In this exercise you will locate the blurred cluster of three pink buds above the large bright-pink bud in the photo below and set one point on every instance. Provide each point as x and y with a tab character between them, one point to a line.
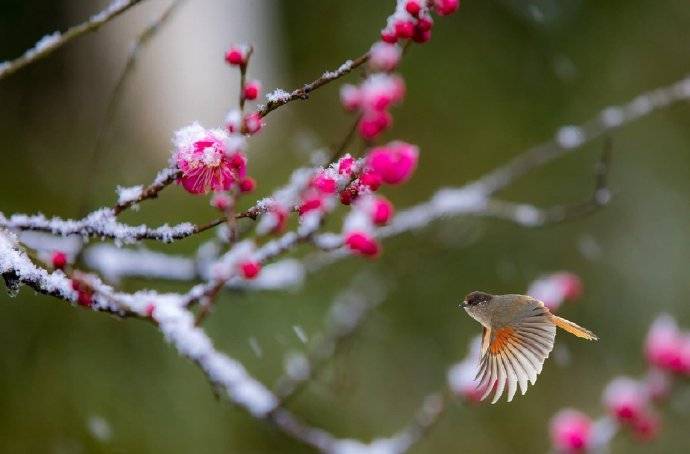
372	99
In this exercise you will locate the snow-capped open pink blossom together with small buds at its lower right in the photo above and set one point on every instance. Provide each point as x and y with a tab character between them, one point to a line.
210	160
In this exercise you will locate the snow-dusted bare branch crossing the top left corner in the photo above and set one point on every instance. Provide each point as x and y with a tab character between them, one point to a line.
49	43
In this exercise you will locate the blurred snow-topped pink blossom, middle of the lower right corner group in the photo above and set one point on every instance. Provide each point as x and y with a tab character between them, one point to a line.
625	399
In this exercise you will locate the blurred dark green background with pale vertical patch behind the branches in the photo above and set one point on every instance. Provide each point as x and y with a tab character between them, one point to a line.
497	77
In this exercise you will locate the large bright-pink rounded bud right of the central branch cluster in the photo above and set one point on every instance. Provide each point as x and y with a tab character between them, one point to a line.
394	162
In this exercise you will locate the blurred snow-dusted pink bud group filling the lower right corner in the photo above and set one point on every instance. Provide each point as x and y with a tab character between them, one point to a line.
629	401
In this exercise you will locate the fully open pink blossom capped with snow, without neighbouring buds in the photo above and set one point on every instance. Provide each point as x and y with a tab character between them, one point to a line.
201	157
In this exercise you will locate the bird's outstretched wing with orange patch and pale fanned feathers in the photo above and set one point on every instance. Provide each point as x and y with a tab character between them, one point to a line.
514	354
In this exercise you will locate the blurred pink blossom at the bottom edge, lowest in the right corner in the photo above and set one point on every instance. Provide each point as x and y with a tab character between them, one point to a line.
571	431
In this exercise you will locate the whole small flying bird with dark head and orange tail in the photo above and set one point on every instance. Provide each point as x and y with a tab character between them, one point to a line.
518	335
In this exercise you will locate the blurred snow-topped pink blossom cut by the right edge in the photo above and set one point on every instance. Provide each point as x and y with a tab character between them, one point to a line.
666	347
